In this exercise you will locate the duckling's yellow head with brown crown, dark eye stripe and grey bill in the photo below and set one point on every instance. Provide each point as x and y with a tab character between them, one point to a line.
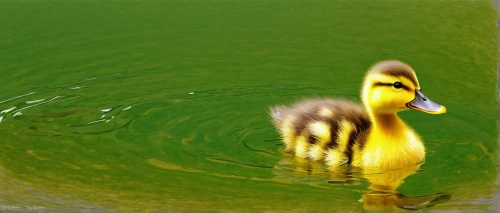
392	86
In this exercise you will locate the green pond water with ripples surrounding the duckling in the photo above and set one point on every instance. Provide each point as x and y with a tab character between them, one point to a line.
162	105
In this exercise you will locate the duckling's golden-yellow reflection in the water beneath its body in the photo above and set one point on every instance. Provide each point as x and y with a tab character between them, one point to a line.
383	194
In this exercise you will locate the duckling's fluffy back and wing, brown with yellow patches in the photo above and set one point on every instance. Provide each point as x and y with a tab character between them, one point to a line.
332	130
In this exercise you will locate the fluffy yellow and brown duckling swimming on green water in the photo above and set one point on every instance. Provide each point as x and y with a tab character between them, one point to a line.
341	132
